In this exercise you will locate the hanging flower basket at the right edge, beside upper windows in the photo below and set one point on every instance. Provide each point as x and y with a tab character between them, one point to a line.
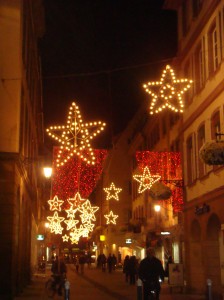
212	153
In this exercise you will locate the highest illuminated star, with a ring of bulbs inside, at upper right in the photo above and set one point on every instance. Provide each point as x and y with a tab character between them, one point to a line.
169	94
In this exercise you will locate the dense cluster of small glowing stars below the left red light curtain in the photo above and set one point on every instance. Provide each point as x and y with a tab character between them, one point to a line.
79	211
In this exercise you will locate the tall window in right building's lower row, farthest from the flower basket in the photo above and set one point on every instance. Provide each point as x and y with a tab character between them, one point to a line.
191	172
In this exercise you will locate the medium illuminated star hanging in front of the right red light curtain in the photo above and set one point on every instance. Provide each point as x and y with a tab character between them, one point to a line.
146	180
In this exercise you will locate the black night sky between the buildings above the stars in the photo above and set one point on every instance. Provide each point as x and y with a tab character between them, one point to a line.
98	53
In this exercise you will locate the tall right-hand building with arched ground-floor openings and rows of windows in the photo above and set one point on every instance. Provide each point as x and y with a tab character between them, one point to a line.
201	58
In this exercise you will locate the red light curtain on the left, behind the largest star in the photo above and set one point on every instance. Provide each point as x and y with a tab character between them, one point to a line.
76	176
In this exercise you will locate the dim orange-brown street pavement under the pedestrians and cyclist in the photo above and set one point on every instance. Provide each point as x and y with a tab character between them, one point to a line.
95	284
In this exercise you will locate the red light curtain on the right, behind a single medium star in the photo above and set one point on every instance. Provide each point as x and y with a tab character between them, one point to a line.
168	166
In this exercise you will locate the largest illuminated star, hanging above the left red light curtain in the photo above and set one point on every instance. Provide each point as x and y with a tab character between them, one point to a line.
75	137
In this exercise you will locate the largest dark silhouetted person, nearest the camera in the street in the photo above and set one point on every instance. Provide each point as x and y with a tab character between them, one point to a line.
151	272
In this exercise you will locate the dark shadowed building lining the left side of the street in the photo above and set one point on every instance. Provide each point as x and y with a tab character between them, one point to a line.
21	142
